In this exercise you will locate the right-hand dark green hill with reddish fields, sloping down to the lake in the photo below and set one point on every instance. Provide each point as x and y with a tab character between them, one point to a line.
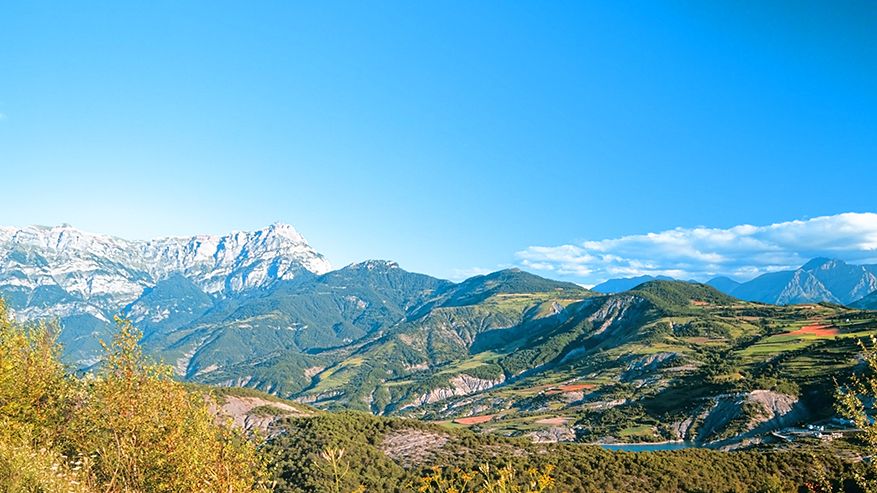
650	364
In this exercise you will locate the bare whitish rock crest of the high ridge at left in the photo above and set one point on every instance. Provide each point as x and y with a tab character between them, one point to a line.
69	265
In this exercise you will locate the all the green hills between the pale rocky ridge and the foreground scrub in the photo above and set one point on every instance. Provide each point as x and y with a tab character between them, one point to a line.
666	360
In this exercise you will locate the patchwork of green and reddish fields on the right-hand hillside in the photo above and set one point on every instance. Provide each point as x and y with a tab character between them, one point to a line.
798	349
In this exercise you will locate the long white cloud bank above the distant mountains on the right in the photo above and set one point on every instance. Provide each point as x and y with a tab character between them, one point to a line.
741	252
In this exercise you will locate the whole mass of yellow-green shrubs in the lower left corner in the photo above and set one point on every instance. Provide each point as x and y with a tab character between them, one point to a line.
129	428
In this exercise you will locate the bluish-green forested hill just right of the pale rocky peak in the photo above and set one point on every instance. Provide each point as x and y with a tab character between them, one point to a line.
297	319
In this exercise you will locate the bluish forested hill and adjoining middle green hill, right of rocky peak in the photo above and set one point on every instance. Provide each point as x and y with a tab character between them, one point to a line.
337	339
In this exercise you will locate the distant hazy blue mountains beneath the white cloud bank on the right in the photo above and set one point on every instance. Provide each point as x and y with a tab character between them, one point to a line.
820	279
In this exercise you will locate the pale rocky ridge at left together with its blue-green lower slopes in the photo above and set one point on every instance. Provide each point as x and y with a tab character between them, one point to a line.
84	279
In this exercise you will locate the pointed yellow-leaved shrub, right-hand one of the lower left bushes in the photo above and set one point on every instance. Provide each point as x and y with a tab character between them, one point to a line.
147	433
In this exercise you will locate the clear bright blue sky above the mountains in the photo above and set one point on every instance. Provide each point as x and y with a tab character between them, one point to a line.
452	137
